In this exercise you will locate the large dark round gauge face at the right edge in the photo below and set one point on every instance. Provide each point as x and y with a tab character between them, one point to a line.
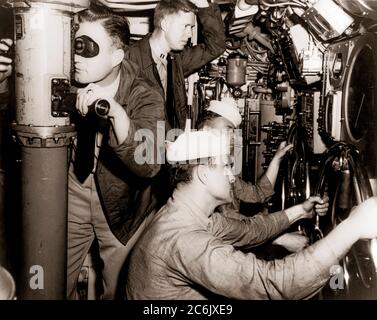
360	107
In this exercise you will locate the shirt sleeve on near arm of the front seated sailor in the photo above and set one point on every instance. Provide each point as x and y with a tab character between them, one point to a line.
220	268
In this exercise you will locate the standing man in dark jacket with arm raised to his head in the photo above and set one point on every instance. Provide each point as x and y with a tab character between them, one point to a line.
173	23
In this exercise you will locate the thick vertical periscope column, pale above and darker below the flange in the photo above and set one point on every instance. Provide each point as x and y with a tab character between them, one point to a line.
43	69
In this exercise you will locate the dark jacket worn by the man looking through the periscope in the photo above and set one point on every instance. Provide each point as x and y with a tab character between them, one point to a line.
124	186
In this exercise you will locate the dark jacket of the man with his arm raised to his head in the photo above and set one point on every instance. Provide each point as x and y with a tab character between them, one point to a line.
186	62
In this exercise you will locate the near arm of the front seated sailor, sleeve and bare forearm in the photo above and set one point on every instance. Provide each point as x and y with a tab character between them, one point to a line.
208	262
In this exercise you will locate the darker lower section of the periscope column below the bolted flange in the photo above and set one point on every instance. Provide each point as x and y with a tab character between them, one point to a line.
44	223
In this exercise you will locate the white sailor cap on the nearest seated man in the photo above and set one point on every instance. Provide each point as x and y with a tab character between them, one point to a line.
196	145
